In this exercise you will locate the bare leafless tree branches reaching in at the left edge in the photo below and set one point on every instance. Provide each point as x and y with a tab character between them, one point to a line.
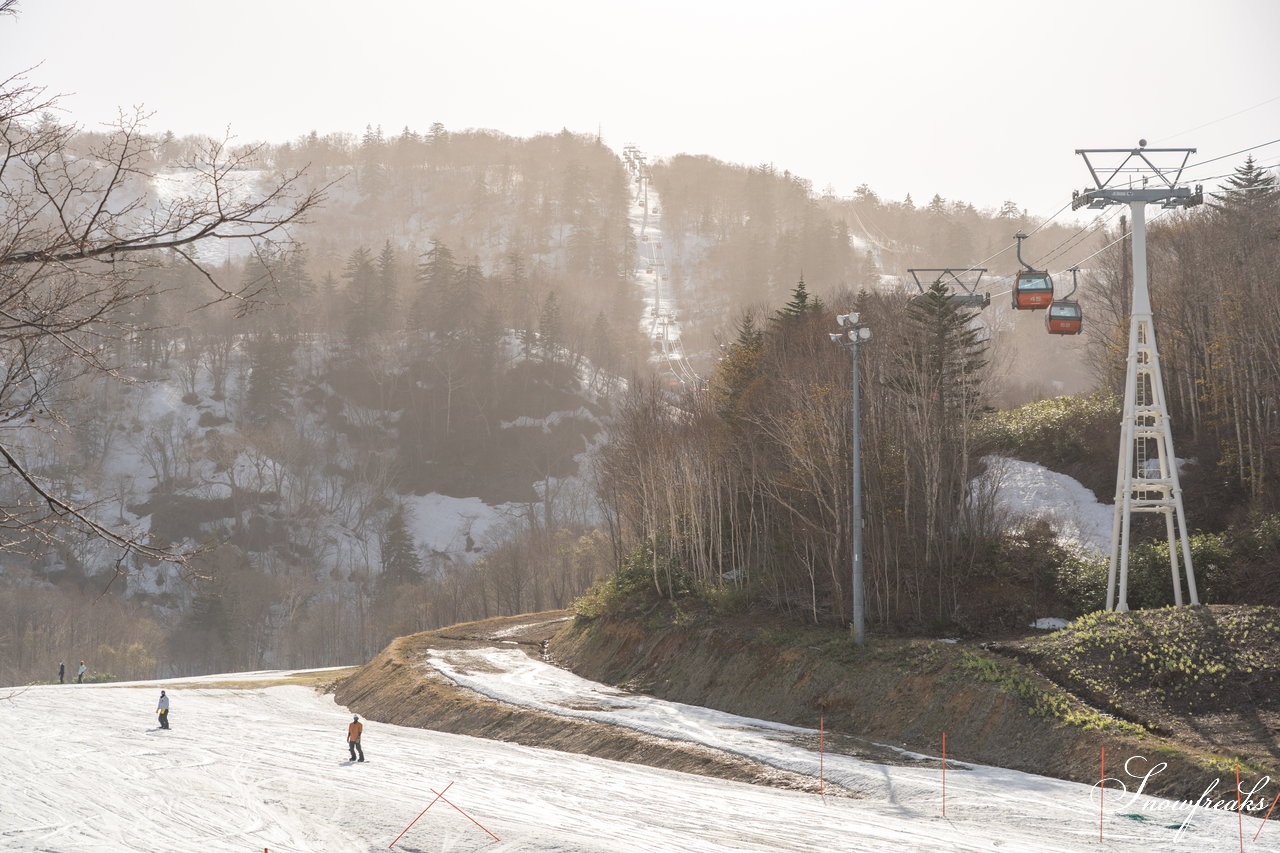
81	222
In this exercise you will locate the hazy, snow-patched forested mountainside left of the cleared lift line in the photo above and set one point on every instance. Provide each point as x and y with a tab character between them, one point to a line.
385	414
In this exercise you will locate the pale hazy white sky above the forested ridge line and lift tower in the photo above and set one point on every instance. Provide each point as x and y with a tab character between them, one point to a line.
984	101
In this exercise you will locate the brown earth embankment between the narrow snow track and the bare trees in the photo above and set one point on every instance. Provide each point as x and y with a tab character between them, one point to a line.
995	709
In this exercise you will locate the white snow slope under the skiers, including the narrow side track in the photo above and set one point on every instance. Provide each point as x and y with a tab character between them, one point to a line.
254	768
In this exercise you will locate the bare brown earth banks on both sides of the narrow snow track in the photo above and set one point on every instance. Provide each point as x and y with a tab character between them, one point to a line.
995	709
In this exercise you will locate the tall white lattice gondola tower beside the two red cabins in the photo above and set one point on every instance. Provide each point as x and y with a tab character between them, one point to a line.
1146	473
